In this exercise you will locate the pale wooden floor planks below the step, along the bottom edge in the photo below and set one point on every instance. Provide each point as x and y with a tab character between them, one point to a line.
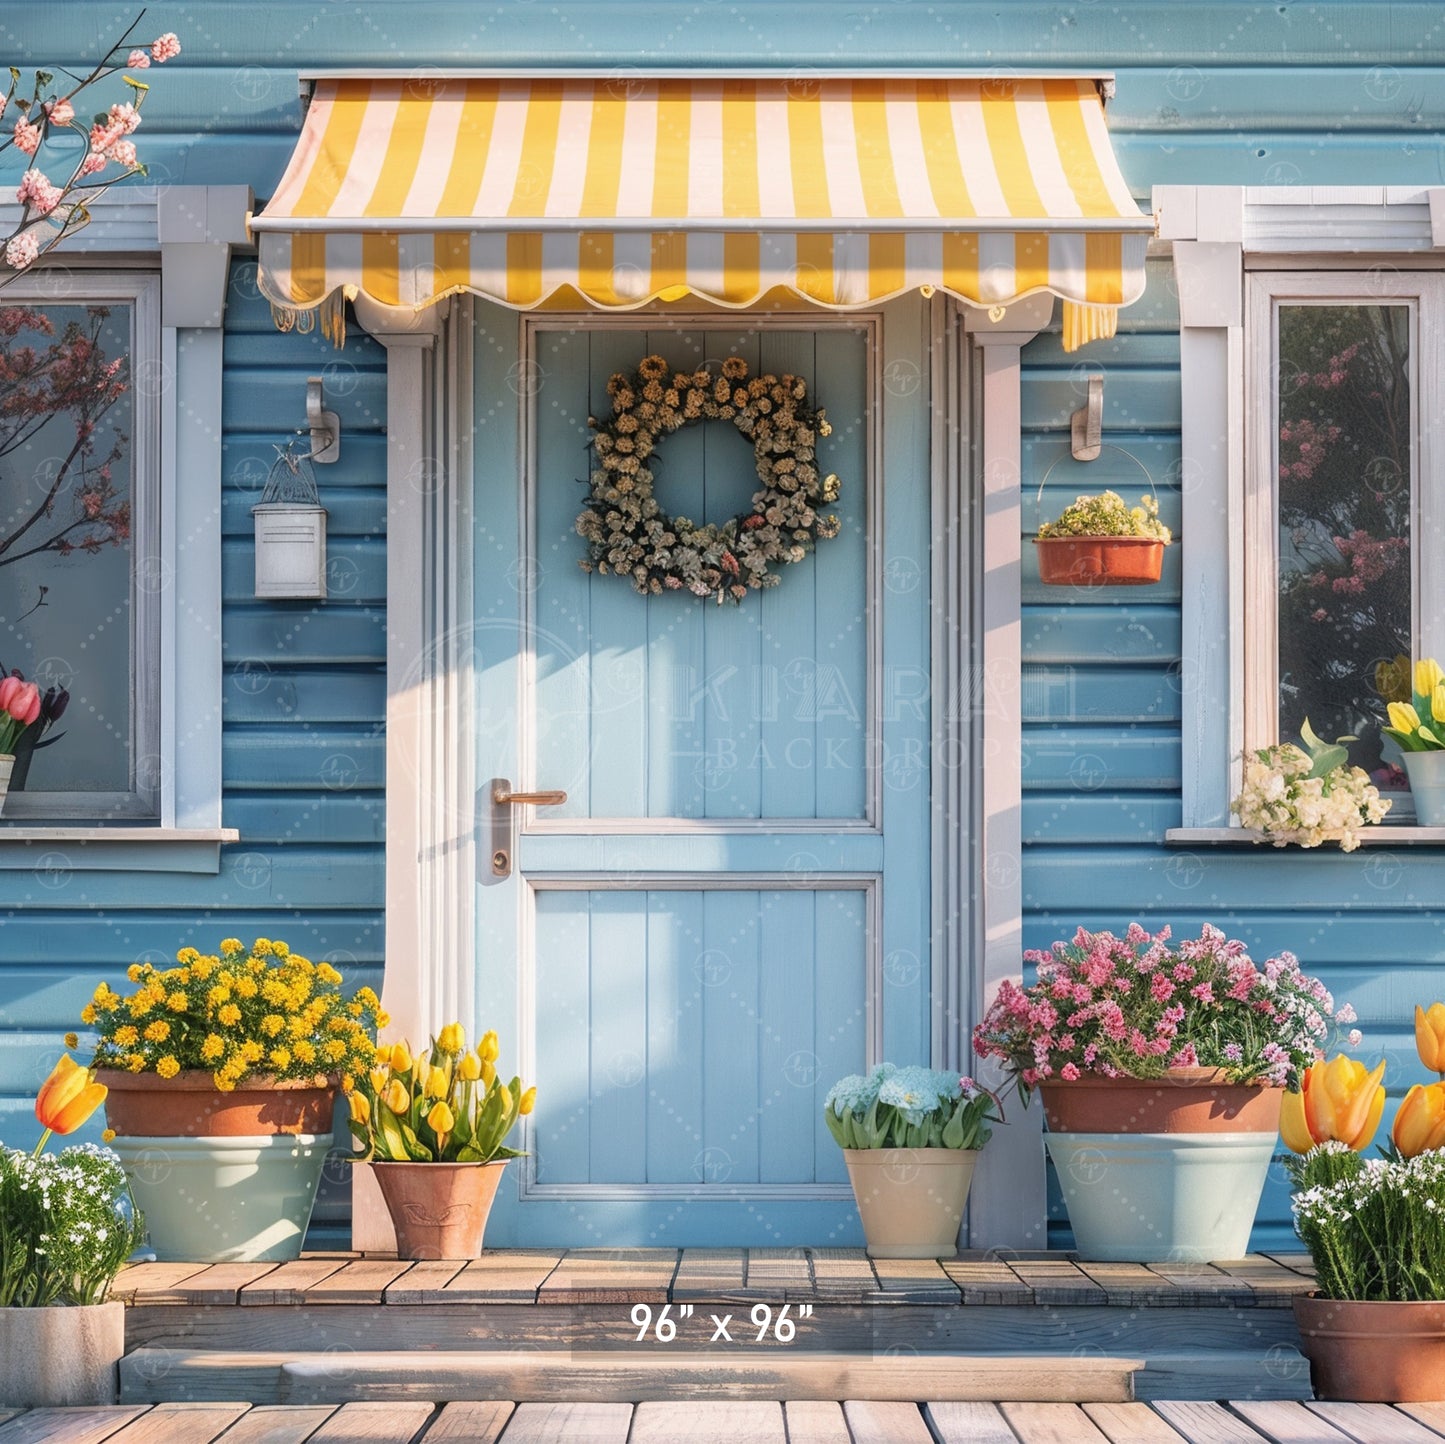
719	1423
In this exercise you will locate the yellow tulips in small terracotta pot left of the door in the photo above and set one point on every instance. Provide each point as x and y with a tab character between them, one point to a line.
434	1127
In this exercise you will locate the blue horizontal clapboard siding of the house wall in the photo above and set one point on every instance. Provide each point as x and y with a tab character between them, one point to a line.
1212	93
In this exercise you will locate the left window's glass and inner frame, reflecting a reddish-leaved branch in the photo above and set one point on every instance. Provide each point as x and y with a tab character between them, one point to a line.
80	540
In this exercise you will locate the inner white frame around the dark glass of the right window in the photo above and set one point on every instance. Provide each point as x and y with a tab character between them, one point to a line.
1424	293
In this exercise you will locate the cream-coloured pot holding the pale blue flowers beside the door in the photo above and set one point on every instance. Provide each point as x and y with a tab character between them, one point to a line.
911	1199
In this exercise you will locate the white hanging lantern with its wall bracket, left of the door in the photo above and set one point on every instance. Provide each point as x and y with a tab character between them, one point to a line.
291	523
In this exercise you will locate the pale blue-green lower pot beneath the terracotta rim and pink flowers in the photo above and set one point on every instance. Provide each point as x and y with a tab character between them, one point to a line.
1155	1198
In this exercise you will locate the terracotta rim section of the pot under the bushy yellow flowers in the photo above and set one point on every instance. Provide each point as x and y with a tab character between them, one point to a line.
190	1105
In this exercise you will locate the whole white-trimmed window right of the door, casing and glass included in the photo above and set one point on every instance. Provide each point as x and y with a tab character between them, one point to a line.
1313	485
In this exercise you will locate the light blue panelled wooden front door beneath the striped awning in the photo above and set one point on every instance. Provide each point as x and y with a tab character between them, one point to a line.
732	908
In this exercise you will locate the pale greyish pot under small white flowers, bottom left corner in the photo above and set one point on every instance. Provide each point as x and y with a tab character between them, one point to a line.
57	1358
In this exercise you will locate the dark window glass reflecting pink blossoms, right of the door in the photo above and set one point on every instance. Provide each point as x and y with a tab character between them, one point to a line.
1345	518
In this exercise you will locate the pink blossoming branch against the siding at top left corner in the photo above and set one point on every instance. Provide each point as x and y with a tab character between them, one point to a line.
57	189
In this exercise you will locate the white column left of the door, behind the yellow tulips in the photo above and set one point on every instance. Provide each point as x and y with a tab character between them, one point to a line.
430	852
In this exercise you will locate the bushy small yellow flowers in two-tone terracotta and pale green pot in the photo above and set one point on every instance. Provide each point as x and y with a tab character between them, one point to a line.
229	1063
